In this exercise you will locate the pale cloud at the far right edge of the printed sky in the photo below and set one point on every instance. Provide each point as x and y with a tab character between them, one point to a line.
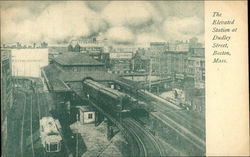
183	28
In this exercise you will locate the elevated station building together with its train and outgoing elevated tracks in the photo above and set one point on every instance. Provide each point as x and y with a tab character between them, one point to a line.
73	86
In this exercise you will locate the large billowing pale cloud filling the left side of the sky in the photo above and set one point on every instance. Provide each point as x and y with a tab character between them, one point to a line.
57	22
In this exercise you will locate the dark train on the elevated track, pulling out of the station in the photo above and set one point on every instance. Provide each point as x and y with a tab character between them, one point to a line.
109	98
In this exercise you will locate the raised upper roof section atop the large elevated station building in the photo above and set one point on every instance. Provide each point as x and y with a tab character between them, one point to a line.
76	59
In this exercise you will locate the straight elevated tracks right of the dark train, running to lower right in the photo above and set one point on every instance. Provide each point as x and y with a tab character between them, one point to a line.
187	127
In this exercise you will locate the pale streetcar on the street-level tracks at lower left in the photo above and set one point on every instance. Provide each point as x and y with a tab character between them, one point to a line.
50	135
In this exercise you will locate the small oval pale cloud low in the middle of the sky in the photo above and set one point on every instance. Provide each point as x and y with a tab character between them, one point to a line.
120	35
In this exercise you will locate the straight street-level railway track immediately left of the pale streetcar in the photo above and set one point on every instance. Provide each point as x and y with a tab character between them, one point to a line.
30	125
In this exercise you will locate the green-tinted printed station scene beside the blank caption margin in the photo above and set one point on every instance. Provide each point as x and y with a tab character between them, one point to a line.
103	78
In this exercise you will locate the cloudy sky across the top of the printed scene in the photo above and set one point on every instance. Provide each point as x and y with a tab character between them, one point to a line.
120	22
